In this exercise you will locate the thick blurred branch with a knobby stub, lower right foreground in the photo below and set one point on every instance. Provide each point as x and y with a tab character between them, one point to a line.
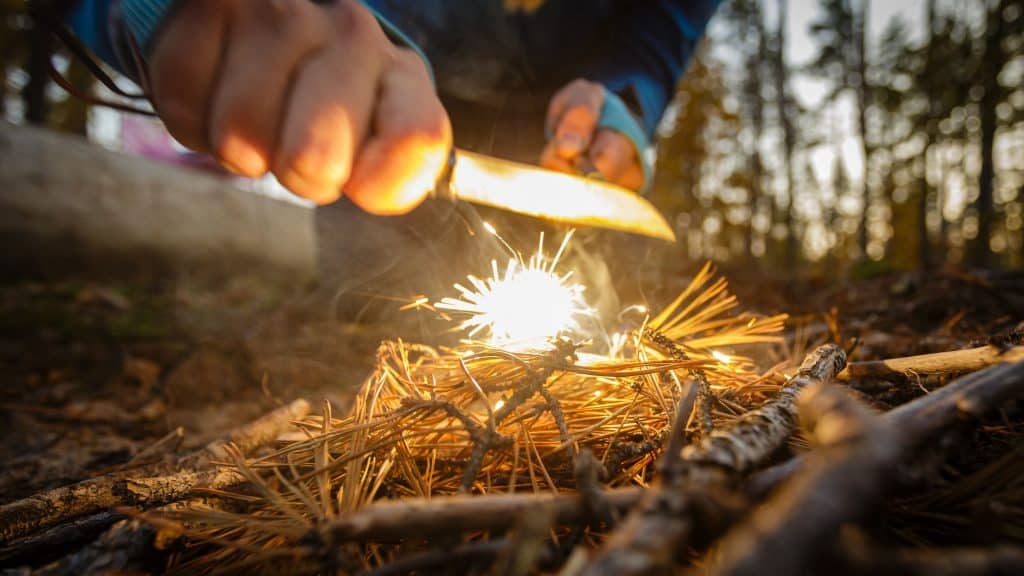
843	483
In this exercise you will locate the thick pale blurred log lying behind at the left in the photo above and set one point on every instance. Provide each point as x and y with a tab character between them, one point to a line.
72	207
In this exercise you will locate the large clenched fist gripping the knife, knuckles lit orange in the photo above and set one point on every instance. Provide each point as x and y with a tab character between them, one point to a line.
315	94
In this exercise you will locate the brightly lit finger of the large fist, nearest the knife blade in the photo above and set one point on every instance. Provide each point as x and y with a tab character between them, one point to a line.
404	158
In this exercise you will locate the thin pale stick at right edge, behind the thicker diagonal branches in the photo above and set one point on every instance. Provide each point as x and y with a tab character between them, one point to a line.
940	364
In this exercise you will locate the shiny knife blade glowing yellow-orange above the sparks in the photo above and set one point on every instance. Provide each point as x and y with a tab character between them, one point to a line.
546	194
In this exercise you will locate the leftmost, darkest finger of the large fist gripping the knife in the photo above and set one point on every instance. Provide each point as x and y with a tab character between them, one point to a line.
183	68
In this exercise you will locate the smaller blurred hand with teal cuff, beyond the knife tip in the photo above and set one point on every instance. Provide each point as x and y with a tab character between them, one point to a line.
577	144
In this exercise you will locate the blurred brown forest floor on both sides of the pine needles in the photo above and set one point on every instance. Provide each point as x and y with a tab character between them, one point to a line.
97	373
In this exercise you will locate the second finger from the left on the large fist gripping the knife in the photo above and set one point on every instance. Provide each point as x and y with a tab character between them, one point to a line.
270	38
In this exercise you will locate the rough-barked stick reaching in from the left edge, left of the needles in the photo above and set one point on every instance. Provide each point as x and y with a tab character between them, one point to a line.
30	515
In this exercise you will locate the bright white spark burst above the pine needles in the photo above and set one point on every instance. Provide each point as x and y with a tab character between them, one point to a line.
523	306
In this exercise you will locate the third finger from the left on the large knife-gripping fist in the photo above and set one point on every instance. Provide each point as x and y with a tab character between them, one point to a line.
327	120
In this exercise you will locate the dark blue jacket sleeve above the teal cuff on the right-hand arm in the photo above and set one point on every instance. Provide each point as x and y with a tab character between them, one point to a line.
651	53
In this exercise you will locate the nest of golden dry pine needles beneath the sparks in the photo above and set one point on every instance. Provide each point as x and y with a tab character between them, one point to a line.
479	420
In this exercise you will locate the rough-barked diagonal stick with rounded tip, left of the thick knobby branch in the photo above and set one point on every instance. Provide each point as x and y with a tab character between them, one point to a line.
649	541
